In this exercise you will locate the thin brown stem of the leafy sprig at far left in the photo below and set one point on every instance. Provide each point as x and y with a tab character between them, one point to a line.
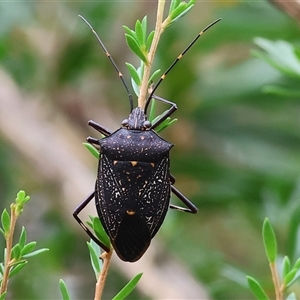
9	241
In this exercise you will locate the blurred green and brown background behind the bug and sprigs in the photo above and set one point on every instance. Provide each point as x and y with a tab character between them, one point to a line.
236	153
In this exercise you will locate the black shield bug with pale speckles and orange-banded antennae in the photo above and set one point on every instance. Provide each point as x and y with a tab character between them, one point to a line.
134	185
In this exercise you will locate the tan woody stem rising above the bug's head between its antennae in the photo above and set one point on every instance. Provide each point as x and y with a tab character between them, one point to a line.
147	67
